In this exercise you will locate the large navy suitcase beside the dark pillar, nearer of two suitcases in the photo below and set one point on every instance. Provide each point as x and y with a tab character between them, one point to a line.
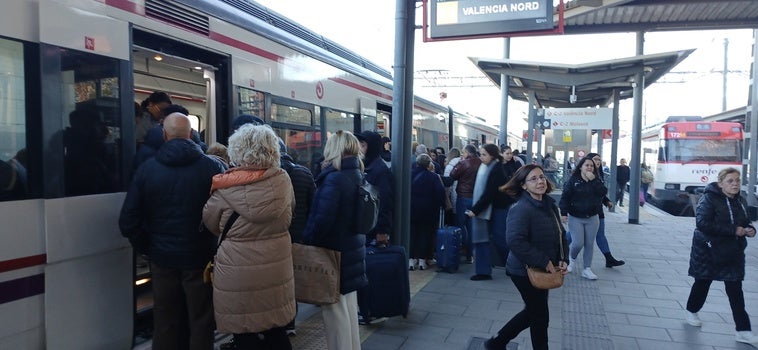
388	292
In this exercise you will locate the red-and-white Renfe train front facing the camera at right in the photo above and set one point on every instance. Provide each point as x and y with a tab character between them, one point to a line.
686	156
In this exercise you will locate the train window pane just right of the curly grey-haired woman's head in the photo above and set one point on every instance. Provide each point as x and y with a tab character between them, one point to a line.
304	146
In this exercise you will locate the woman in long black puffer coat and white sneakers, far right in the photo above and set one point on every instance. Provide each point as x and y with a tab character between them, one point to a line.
718	250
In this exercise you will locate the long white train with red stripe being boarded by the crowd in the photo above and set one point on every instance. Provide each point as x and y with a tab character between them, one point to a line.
70	73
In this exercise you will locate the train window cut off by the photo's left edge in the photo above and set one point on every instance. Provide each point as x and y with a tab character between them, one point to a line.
13	161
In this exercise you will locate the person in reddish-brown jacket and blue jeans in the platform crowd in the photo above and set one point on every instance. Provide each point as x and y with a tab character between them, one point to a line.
465	173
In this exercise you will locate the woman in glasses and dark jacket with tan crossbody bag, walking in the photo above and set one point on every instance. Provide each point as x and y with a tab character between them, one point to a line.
537	239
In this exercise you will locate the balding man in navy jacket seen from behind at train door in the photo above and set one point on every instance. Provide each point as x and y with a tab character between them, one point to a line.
163	208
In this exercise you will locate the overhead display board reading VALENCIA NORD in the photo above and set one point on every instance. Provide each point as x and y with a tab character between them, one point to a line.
457	18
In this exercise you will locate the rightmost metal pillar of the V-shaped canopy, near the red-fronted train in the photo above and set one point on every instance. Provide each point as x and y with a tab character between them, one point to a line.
634	179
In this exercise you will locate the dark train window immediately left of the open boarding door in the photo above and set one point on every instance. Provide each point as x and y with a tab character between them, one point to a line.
92	135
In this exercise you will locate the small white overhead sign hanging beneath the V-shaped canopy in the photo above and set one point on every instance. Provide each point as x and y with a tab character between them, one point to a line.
580	118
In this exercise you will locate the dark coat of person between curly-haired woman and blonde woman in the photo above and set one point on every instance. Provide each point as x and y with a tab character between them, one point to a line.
305	188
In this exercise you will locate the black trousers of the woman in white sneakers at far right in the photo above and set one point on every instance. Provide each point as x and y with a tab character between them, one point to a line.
699	293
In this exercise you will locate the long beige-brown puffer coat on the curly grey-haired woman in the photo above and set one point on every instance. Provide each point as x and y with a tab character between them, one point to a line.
254	286
